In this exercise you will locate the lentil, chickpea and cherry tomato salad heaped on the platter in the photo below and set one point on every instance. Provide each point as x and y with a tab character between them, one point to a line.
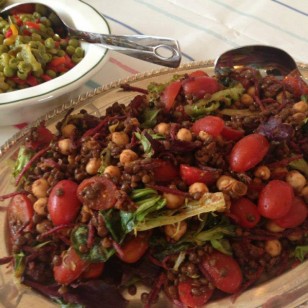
197	188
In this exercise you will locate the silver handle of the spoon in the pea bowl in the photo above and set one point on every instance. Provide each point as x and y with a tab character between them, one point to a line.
158	50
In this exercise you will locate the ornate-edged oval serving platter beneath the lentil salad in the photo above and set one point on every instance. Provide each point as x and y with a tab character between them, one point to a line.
288	290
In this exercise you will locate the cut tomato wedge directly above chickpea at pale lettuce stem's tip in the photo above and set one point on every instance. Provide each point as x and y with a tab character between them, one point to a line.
192	175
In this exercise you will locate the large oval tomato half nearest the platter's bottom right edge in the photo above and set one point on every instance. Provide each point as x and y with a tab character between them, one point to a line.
223	271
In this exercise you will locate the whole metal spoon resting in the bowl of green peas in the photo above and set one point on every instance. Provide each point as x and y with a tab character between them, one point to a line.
158	50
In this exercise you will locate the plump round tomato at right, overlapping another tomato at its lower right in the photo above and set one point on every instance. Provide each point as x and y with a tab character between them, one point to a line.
275	199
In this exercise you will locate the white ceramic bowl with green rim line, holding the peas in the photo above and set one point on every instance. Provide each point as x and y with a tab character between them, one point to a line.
27	104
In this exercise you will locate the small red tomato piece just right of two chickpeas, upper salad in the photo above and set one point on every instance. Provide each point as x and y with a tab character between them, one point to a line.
210	124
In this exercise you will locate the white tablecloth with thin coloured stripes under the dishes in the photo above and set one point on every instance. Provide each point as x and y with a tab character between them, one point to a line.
204	29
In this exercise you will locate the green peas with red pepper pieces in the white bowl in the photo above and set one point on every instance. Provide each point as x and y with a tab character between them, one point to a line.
31	52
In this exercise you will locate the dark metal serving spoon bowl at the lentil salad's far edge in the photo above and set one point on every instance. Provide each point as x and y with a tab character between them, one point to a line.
267	59
